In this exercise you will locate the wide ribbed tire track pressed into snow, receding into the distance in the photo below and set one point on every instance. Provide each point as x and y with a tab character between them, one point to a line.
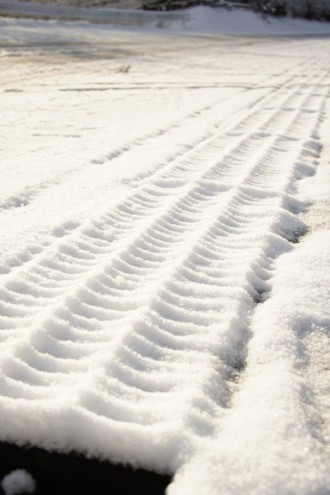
160	289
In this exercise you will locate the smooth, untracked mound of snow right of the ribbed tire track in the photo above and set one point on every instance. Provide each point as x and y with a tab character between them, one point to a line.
273	440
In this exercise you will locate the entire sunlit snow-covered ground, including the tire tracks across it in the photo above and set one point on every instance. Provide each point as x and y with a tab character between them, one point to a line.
156	308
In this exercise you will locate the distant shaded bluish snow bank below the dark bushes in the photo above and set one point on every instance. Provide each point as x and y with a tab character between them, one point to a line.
203	20
